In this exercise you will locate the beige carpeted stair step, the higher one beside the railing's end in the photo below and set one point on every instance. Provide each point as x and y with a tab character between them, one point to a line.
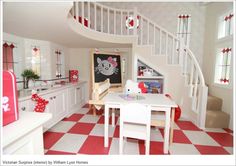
214	103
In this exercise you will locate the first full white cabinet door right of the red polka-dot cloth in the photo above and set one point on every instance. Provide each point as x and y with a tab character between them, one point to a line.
60	101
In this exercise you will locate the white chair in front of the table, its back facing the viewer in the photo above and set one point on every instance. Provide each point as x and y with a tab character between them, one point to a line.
135	122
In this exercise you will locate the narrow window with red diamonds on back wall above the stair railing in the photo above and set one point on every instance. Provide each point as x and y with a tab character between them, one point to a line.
184	28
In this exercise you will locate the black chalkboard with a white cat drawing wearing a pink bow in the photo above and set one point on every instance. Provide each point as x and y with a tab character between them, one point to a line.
107	66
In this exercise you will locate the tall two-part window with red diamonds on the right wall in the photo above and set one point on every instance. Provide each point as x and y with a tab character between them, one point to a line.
224	49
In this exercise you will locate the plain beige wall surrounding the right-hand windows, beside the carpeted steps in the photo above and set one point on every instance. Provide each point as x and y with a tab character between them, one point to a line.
213	11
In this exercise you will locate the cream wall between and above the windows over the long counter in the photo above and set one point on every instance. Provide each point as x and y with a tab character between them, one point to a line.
23	55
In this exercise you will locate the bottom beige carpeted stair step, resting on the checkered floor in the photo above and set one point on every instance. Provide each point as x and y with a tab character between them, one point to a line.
217	119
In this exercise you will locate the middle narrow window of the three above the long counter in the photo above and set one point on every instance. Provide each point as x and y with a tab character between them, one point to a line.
35	61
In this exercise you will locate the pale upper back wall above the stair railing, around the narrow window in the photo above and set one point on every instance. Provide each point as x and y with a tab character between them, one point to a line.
165	14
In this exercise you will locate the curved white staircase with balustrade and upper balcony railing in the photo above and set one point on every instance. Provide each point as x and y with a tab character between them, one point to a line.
151	44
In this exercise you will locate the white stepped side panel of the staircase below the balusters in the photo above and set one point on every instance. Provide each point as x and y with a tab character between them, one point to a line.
174	81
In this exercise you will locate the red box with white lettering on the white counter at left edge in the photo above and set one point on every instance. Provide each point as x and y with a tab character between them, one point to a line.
9	98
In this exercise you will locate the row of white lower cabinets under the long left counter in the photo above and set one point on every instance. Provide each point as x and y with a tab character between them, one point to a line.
62	103
